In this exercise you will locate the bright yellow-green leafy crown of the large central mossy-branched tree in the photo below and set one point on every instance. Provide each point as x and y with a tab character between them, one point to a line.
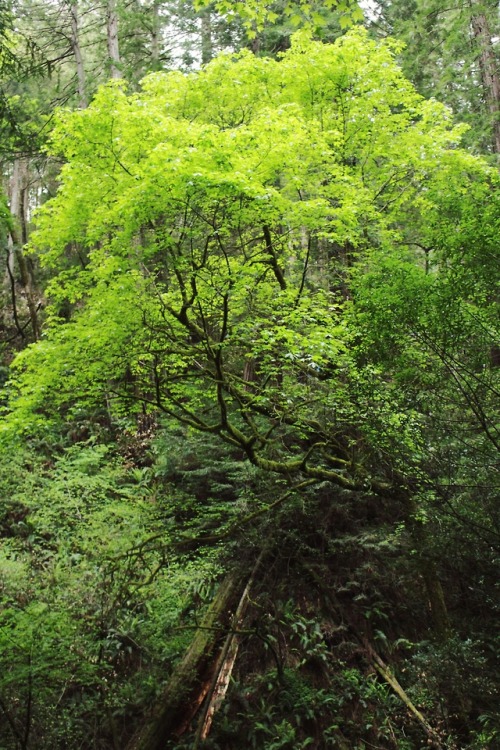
214	218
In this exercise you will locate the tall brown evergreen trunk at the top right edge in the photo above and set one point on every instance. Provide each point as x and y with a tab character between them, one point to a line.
489	70
